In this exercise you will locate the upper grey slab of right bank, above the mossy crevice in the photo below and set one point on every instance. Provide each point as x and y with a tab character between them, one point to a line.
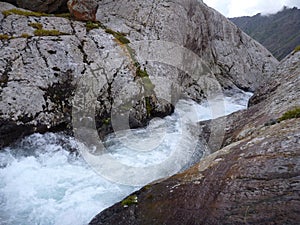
279	95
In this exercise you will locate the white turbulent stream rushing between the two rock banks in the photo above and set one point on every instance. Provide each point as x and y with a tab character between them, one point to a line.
43	180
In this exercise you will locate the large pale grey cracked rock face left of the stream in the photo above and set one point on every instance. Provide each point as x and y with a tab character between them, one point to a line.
45	61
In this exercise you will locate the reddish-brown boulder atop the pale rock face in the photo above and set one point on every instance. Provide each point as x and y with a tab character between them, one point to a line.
83	10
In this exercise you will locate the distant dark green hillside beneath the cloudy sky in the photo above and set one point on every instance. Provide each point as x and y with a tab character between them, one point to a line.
280	32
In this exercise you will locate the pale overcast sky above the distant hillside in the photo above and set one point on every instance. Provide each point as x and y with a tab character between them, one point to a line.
235	8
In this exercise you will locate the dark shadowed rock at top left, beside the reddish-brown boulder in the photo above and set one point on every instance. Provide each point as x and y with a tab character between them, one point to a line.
48	6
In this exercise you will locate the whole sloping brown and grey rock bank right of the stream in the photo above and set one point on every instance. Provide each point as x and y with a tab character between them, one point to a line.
253	180
